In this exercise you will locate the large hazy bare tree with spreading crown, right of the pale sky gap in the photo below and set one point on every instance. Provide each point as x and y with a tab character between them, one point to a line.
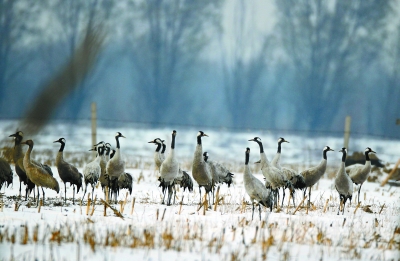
328	43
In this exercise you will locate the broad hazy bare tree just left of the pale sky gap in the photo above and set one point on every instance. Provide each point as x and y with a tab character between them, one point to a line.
169	37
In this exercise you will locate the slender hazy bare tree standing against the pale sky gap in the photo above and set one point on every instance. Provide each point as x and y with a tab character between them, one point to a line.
244	61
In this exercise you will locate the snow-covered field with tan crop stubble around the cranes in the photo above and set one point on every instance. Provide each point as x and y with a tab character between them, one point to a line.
151	231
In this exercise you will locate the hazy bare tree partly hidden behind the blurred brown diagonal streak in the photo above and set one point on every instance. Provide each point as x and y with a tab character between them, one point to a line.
76	19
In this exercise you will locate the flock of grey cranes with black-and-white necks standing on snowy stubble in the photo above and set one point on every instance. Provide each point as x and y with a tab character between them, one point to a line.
108	169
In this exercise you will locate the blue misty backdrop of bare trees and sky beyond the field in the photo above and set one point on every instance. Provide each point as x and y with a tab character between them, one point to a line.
280	65
